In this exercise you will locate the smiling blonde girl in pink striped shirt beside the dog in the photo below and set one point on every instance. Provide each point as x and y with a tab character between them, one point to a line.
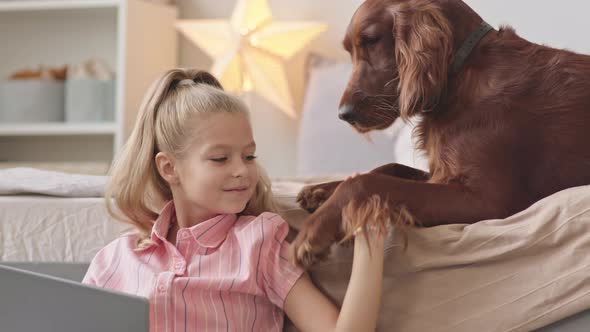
215	257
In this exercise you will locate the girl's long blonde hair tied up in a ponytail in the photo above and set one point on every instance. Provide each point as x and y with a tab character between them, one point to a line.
164	123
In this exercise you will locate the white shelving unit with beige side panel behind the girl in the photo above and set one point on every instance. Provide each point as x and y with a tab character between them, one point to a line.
136	38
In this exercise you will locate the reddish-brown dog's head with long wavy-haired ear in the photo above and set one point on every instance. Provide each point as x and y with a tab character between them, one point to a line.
400	51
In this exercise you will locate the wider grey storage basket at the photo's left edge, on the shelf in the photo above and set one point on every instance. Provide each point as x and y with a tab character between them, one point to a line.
26	101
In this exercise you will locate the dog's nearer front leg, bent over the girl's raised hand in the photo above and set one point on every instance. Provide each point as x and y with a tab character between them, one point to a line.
427	204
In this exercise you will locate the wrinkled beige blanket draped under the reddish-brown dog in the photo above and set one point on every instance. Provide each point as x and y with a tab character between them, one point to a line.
514	274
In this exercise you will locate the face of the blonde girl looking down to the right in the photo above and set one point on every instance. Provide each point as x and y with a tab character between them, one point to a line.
218	174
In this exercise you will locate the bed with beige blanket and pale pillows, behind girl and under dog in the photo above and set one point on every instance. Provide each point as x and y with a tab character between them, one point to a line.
522	273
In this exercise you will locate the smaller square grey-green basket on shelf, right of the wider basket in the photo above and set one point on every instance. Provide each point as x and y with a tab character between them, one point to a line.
90	100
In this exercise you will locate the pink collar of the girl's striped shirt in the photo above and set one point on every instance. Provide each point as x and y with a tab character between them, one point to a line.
209	233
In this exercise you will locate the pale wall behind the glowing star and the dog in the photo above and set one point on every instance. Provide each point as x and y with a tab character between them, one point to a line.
561	25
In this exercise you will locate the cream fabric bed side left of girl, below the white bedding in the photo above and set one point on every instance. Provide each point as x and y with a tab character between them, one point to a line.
54	229
